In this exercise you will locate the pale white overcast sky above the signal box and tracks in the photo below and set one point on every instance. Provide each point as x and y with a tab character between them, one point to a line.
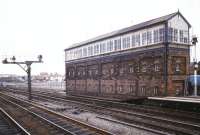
47	27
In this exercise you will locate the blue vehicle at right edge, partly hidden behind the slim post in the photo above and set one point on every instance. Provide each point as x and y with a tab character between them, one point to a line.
190	85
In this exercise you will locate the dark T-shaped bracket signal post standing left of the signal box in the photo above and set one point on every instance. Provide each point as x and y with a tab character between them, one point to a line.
26	68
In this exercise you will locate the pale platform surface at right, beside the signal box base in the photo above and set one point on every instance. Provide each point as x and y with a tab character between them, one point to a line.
191	99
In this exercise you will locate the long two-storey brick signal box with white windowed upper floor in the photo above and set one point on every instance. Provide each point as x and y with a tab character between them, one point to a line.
148	59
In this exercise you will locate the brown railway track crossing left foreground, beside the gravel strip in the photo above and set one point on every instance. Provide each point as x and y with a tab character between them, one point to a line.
44	121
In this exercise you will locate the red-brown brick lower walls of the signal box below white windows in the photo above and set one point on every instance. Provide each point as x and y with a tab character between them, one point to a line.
129	75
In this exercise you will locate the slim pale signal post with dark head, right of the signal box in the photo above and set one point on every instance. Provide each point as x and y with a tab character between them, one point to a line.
194	41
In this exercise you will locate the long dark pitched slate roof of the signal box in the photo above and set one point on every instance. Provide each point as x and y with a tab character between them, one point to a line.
128	29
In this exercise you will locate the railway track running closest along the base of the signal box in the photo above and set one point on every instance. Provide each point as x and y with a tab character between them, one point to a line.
175	114
